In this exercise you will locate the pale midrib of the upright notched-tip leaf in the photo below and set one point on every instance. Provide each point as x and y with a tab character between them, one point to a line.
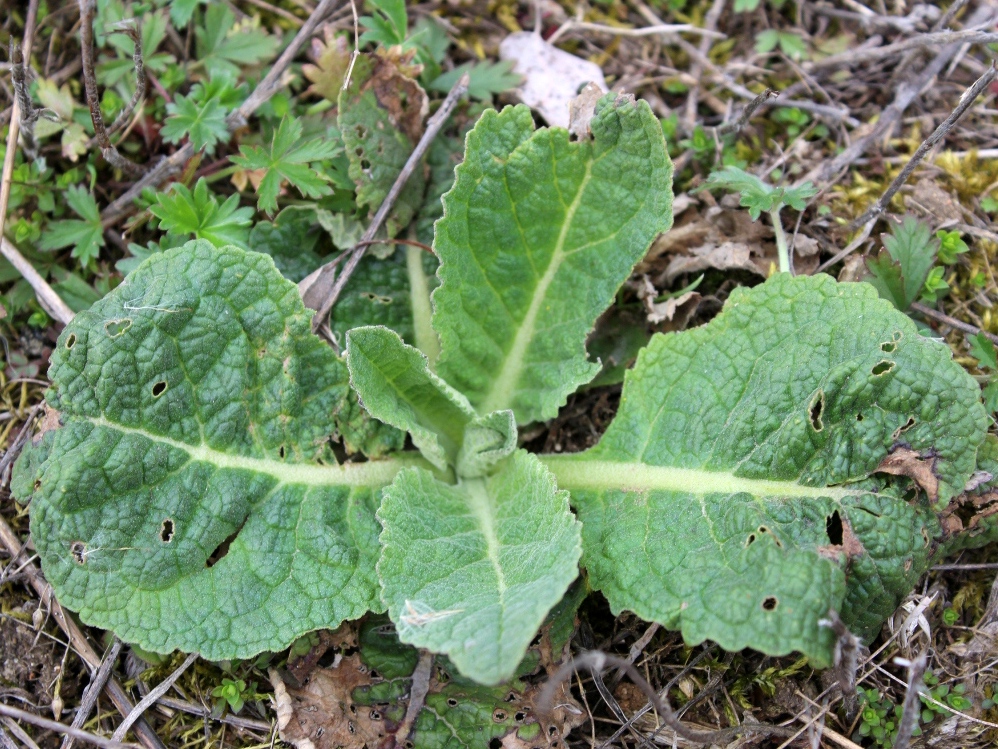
503	390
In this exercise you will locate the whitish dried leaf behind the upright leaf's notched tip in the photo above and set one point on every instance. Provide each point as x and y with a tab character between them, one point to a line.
551	77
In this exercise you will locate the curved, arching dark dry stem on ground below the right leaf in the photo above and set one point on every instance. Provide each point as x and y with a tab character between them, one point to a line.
594	661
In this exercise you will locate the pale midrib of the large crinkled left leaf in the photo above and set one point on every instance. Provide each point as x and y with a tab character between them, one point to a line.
373	474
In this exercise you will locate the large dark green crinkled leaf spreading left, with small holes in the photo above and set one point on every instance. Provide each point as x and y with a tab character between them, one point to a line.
183	504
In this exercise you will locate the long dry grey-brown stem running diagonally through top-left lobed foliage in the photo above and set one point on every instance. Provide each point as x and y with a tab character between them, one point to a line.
167	167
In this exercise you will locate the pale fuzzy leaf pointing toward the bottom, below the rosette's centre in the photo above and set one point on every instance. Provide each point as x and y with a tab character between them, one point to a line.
471	569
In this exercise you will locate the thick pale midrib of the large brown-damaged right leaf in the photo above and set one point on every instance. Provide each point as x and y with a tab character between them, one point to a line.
575	474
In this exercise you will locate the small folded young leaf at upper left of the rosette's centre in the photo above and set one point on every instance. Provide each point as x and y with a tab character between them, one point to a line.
397	387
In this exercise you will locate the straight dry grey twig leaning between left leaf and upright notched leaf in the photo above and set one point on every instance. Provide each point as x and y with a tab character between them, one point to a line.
323	305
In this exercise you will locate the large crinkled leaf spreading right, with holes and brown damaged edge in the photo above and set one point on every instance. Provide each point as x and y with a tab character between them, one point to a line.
719	501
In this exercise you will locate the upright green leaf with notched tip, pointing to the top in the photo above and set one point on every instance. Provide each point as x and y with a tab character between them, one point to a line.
539	232
